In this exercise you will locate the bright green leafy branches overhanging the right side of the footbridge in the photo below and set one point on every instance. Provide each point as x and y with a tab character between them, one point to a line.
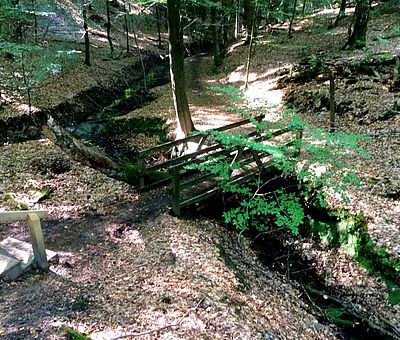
294	180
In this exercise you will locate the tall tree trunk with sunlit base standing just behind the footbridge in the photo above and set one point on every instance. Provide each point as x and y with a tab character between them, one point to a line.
176	49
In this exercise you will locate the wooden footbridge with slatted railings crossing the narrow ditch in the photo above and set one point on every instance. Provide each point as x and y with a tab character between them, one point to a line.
172	163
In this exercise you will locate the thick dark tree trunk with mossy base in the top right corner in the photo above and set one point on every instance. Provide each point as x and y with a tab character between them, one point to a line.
358	36
